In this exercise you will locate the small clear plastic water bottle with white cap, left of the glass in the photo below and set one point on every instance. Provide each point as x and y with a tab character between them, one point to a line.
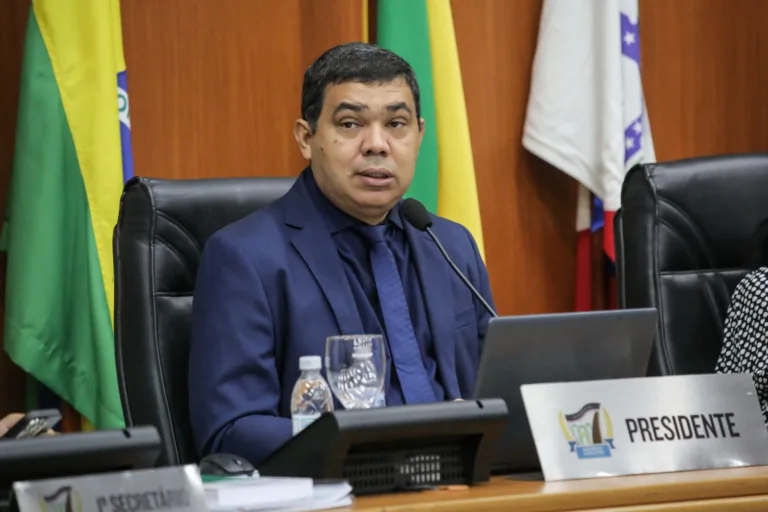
311	394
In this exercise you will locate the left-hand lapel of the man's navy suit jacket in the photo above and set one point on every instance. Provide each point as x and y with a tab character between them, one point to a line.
315	246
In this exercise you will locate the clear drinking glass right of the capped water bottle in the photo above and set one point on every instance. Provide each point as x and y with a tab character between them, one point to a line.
355	368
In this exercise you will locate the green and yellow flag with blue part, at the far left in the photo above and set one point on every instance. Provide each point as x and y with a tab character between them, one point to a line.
71	158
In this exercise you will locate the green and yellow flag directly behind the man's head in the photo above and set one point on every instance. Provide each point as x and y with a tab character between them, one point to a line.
421	31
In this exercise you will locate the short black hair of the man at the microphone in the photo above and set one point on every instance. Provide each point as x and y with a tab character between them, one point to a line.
364	63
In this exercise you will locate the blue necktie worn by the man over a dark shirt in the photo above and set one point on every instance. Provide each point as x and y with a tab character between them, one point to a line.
397	319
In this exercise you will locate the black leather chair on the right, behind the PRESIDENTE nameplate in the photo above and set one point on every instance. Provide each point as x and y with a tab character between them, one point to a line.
682	237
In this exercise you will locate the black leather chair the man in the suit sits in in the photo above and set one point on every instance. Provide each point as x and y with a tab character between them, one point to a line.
160	233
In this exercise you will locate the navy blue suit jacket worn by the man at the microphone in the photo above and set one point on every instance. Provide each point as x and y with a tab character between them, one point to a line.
271	288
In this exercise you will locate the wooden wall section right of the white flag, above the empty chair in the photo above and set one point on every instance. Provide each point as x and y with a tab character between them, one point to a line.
705	75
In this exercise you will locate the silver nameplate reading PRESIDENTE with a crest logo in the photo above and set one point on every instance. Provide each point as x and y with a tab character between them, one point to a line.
646	425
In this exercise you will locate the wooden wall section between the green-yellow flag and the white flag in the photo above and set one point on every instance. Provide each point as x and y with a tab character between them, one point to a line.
528	207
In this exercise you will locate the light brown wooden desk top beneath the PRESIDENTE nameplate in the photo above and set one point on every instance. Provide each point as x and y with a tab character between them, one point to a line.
702	491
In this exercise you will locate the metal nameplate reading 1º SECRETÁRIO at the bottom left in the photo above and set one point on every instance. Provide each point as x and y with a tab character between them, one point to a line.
174	489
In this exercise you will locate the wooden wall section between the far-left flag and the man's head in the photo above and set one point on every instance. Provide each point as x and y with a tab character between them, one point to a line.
215	86
